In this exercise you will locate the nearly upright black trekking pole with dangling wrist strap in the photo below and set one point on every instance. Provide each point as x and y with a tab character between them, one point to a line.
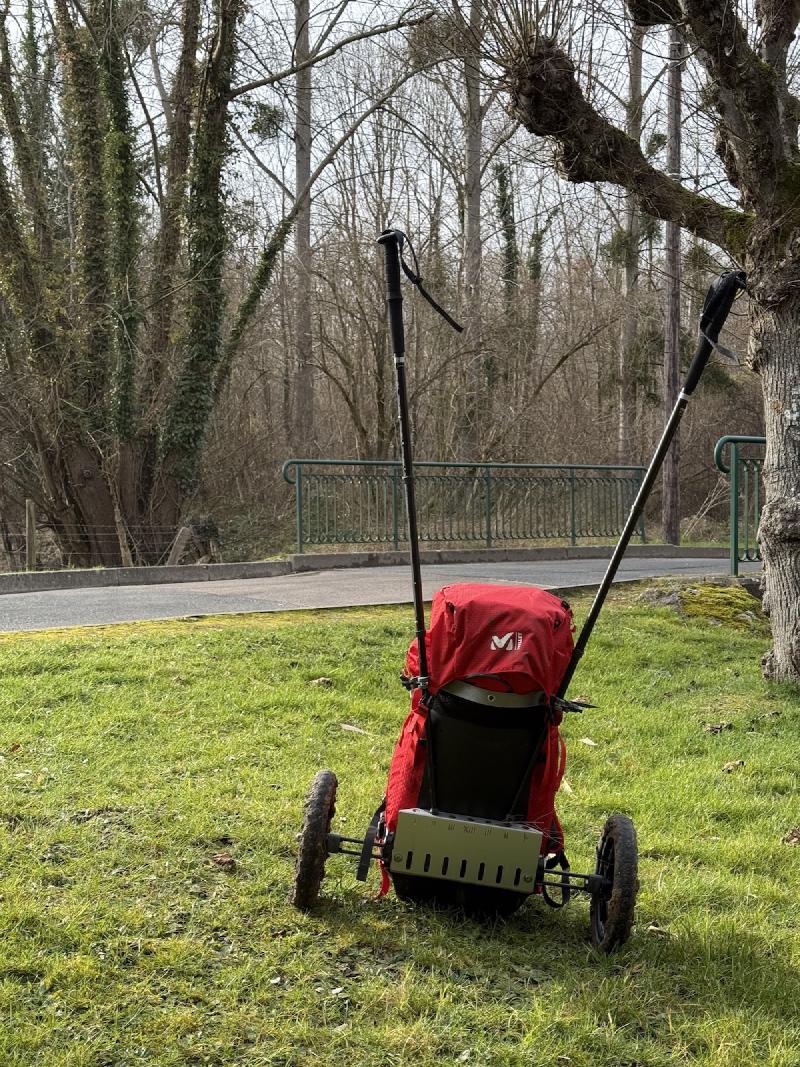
393	242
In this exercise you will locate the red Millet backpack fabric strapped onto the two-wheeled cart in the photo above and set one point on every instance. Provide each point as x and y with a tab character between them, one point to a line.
500	640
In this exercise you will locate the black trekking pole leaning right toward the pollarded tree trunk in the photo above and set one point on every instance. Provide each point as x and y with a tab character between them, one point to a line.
718	304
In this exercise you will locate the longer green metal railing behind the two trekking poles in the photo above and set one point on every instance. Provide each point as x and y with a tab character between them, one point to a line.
362	502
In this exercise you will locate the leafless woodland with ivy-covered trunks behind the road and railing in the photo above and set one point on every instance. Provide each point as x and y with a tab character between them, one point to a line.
180	316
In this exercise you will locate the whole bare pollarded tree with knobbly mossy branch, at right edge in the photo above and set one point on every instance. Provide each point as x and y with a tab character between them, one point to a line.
756	118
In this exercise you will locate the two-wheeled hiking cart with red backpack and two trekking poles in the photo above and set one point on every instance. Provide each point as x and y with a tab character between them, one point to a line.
469	818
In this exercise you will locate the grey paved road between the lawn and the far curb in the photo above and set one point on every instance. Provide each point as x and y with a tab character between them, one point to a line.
378	585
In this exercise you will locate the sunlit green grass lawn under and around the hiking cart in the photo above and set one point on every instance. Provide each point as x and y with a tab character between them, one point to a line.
152	784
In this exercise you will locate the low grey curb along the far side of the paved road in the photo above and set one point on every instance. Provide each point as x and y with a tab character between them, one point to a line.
45	581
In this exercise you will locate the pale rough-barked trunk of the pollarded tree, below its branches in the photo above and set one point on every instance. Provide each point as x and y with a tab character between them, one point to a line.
775	344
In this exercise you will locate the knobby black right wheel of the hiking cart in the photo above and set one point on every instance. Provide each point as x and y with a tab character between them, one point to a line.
612	913
